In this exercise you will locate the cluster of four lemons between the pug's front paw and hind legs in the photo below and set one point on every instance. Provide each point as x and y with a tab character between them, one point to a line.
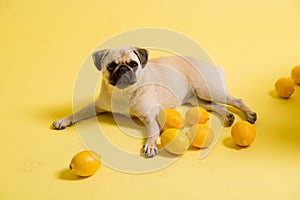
174	140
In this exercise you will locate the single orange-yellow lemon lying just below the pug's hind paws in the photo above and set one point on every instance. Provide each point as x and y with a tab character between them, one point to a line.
243	133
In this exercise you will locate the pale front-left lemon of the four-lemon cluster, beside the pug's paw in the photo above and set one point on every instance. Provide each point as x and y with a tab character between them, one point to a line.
174	141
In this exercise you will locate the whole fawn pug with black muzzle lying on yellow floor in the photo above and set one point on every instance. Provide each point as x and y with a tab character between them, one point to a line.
135	86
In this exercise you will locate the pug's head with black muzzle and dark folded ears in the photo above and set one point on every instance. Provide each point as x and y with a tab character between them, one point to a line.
120	66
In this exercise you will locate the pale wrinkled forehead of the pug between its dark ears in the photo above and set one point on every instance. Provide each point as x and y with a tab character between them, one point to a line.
121	55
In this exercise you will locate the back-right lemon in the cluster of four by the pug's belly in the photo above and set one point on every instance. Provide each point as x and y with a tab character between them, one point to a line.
196	115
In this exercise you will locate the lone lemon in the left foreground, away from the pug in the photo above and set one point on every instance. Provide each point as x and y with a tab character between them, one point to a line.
85	163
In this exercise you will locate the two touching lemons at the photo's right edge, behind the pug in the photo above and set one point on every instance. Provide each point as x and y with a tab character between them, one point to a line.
285	86
